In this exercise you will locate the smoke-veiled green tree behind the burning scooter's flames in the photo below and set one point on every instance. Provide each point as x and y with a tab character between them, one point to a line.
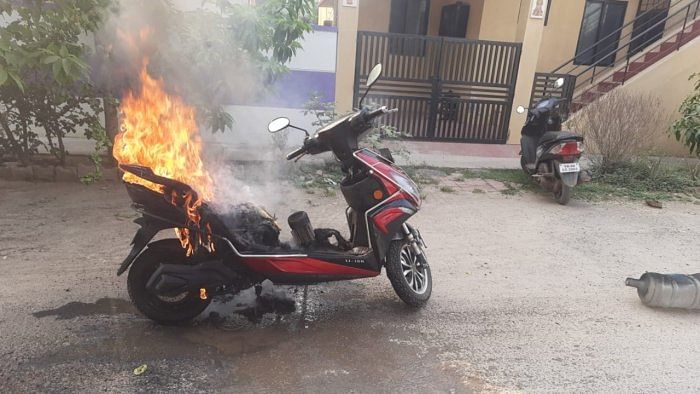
232	43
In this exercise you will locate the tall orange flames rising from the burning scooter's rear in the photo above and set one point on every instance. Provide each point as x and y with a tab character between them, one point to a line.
159	131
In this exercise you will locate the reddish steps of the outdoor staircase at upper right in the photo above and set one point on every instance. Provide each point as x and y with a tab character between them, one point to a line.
649	56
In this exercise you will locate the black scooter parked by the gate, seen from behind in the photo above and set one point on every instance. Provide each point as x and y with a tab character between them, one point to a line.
549	155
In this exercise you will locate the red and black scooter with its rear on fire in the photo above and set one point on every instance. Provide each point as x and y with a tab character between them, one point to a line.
172	280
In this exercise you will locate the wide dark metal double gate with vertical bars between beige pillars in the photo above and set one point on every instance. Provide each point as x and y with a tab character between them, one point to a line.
446	89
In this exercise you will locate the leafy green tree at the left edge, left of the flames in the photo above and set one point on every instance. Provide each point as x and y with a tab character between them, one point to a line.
43	74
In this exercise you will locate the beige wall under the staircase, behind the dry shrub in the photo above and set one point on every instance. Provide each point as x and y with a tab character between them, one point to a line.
668	80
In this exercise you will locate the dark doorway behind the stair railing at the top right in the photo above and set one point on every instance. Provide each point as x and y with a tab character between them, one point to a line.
649	25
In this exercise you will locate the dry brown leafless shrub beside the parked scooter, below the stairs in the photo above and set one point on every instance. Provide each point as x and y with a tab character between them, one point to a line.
617	127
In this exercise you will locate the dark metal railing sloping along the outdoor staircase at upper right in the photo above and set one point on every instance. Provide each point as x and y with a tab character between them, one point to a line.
580	77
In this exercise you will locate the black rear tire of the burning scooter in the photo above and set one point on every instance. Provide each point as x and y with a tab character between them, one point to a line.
176	310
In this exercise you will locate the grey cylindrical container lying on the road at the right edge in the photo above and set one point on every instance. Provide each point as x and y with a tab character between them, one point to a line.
668	291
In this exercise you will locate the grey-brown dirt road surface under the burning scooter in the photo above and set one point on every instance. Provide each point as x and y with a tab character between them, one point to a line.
528	296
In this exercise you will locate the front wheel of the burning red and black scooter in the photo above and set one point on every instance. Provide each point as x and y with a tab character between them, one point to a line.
409	291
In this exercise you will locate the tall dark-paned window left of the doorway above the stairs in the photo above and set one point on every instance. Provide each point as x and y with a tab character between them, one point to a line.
600	32
